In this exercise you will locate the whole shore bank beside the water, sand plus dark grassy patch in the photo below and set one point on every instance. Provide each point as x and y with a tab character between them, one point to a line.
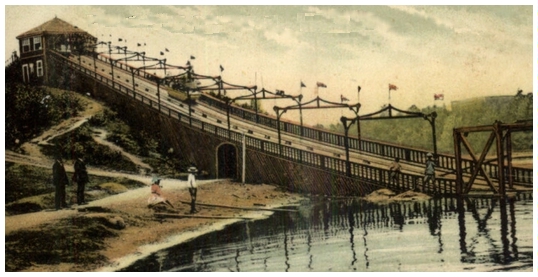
142	232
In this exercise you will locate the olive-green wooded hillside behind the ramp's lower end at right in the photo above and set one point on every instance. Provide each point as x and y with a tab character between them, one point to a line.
417	132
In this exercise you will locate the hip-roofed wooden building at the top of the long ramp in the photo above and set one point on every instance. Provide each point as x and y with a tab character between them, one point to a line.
56	35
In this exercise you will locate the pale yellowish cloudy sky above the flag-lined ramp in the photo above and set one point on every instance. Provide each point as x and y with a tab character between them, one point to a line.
458	51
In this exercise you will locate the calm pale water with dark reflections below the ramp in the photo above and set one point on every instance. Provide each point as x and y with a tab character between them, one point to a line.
352	235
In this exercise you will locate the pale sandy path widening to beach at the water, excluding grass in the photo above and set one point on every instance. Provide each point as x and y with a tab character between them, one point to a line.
148	234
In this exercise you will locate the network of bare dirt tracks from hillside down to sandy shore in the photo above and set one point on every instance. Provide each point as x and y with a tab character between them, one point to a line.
142	238
